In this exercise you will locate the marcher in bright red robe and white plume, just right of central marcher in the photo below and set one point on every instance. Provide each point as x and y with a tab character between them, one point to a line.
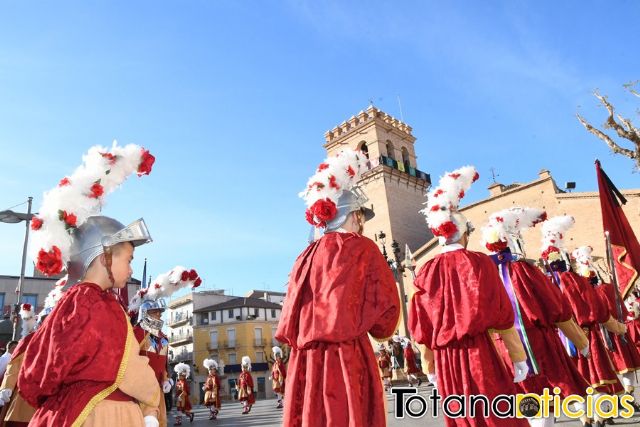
460	301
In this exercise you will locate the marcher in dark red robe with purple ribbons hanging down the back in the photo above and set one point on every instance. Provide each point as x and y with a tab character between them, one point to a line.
539	309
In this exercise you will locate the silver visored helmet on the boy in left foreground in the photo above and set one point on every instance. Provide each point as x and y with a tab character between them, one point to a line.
96	236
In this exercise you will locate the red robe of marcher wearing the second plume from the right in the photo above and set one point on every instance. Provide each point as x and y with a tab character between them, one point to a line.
589	311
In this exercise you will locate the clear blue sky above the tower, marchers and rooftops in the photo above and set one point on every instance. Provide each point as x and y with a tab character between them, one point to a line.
234	97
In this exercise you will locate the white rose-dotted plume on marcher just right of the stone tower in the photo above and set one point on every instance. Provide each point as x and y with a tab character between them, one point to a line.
443	202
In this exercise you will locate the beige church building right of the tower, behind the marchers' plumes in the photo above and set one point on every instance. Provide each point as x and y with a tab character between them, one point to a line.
545	194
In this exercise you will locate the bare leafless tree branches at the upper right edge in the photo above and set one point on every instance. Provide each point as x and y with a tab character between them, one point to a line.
623	127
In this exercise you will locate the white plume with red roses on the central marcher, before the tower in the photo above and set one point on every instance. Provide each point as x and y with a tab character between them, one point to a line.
333	176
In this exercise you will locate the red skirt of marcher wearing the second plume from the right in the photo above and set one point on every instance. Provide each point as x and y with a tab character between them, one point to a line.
597	369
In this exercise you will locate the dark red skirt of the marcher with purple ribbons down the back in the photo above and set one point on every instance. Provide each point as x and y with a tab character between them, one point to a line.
556	369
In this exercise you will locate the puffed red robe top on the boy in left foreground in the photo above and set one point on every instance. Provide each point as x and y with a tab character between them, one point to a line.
73	359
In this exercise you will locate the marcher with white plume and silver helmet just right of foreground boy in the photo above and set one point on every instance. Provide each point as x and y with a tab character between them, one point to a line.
147	306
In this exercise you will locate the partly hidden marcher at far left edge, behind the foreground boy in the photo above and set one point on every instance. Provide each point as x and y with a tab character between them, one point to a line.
16	411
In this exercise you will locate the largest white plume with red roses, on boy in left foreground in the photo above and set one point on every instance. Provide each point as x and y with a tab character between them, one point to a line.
79	196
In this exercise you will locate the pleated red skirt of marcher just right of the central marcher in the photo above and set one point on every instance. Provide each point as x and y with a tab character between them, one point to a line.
473	366
